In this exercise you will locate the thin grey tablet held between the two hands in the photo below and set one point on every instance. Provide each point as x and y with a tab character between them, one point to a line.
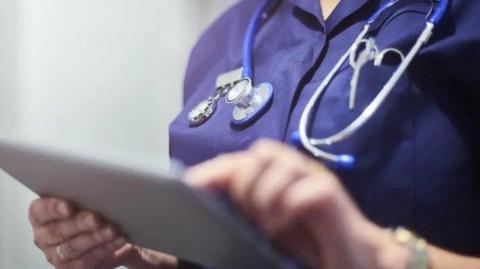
153	208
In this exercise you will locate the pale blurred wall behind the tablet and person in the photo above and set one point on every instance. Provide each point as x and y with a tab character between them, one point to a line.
103	76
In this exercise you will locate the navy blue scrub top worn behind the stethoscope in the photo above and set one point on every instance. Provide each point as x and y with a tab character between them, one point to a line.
418	157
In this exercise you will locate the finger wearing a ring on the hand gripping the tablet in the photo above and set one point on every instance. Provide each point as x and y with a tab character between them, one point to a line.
83	243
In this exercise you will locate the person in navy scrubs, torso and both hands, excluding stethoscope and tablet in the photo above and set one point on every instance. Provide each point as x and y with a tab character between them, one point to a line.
417	157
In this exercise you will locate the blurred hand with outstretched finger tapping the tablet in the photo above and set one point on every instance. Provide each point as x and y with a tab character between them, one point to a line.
301	205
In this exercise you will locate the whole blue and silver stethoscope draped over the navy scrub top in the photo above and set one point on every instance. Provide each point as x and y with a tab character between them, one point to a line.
250	101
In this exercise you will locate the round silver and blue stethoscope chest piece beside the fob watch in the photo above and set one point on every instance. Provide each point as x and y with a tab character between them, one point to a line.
250	101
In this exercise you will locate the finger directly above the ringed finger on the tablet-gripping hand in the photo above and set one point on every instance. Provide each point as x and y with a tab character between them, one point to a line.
57	232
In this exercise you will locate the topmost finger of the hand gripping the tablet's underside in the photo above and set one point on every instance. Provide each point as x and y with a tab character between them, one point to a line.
45	210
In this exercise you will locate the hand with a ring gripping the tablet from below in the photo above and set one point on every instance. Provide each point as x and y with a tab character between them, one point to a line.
77	239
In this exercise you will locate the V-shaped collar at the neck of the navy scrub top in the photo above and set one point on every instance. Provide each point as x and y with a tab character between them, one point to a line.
344	9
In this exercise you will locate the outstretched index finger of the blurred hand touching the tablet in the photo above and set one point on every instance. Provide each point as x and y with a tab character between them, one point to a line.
214	174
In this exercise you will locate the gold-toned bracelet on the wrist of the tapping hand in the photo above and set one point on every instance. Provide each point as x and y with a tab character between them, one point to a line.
417	246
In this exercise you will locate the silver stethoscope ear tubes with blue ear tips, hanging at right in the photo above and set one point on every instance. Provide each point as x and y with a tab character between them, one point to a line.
348	161
